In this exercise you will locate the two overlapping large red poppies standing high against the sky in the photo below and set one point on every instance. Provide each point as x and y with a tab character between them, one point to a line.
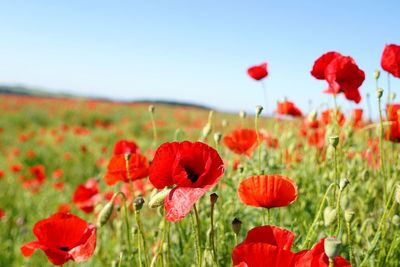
341	73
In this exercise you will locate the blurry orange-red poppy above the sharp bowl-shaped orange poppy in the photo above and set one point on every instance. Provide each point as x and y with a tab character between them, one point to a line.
242	141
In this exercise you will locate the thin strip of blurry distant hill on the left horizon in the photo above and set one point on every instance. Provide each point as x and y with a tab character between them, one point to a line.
27	91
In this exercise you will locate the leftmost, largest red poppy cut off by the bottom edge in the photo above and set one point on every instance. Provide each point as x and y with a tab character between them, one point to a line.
265	244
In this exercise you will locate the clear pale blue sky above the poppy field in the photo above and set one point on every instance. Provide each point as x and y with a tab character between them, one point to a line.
191	50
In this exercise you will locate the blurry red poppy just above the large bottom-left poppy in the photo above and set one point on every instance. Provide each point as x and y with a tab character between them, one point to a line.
86	196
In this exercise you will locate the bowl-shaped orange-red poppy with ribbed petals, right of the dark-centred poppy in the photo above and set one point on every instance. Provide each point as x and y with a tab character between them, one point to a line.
267	191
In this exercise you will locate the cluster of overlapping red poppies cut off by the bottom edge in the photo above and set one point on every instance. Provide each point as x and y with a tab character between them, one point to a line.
271	246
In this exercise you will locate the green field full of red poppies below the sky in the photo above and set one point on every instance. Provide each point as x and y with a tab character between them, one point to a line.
100	183
